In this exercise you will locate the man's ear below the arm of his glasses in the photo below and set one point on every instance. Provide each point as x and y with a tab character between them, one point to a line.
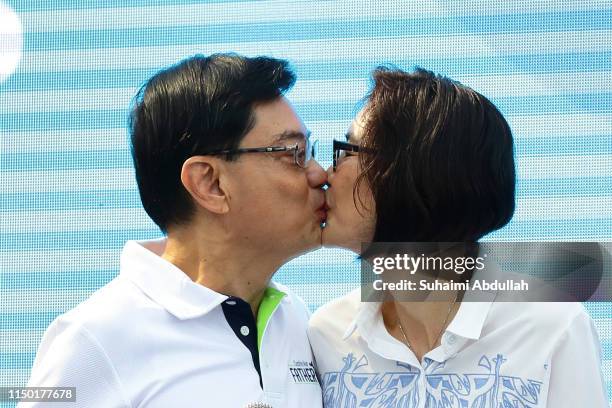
200	177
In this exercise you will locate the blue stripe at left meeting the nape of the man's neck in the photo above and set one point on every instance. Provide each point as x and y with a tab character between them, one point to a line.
85	239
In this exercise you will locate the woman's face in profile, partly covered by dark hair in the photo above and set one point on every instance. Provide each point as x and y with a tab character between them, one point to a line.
350	221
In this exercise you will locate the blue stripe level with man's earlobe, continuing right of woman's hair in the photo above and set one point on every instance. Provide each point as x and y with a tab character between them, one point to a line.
114	199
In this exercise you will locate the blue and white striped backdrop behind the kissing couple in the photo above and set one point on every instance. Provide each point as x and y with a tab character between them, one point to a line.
68	199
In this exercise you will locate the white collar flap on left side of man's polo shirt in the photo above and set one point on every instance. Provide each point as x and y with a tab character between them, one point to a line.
166	284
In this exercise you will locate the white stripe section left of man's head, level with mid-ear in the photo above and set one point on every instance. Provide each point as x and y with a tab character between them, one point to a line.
68	180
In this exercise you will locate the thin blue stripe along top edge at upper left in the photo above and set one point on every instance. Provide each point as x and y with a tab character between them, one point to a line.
49	5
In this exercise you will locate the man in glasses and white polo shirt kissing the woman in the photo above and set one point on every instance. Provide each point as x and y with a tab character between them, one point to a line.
223	166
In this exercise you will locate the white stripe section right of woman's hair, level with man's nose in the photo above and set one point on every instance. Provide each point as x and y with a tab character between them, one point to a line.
536	168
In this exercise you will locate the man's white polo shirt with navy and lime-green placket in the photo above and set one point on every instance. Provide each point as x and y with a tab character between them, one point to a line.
154	338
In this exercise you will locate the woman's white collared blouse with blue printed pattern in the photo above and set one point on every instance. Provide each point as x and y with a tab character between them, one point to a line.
492	354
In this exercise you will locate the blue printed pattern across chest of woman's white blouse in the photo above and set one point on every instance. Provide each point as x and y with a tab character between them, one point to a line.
349	388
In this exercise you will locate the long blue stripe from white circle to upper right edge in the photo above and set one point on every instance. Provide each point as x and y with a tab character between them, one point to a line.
299	31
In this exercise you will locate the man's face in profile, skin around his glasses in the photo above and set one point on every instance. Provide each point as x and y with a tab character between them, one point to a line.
275	205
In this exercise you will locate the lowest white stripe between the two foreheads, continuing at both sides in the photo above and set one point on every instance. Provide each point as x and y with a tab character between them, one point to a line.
523	126
